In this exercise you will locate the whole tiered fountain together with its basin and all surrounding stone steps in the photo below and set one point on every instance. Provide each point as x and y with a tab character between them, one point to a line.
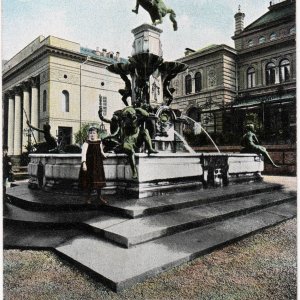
159	209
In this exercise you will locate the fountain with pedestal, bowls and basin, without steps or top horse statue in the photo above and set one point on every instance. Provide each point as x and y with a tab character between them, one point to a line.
147	123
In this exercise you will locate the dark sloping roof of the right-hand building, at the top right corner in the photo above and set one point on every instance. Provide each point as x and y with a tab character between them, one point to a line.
281	11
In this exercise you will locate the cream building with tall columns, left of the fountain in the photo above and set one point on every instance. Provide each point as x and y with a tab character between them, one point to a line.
56	81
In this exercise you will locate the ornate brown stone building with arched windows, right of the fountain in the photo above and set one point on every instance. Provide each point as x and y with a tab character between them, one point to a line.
255	81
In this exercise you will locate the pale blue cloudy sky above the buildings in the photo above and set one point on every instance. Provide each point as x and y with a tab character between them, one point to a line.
108	23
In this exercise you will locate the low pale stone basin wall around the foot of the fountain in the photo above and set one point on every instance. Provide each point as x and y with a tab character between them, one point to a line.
156	173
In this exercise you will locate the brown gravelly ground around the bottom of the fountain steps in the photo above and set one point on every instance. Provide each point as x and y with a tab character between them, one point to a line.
261	267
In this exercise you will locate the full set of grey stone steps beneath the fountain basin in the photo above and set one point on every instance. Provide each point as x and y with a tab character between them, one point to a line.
130	240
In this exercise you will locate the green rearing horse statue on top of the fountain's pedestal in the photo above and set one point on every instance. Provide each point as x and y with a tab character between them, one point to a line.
157	10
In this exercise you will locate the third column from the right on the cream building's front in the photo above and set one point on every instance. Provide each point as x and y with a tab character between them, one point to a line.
18	123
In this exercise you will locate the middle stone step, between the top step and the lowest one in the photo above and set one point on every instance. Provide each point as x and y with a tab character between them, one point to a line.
137	231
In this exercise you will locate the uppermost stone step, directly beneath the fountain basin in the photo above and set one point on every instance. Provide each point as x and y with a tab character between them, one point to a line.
40	200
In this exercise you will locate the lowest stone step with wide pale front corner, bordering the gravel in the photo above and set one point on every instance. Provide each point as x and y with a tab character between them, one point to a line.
120	268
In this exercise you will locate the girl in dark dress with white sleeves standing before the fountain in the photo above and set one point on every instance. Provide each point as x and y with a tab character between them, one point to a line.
92	176
